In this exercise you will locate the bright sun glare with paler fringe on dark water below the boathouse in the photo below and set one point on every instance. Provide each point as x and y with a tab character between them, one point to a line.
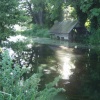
66	60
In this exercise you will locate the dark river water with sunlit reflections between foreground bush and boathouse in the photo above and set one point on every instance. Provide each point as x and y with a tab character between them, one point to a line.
72	64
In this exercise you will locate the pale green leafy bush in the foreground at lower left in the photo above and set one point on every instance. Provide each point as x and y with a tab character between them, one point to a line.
13	86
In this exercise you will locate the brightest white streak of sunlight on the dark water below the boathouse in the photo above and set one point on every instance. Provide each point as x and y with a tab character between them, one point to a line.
65	61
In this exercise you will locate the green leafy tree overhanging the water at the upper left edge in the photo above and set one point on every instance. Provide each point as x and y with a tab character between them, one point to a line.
9	16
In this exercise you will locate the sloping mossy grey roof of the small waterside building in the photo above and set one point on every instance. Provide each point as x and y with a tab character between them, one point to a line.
64	26
